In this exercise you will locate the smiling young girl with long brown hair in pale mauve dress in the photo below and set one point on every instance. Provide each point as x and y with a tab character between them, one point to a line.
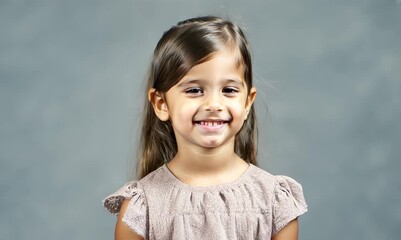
198	173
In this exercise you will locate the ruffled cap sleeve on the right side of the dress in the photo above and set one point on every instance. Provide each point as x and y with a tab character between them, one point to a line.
289	202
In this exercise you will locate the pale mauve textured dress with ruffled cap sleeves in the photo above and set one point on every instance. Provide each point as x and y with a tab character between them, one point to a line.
255	206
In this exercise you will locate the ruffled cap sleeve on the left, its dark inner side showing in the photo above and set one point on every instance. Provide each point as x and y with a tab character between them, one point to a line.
136	213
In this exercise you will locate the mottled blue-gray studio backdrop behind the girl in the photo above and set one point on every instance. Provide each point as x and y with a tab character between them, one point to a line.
71	76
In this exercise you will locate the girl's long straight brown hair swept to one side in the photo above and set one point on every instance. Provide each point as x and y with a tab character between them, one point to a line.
183	46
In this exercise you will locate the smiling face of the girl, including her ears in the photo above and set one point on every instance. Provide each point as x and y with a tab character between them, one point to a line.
209	105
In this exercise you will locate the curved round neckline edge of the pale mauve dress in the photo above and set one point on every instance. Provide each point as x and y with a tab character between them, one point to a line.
180	183
